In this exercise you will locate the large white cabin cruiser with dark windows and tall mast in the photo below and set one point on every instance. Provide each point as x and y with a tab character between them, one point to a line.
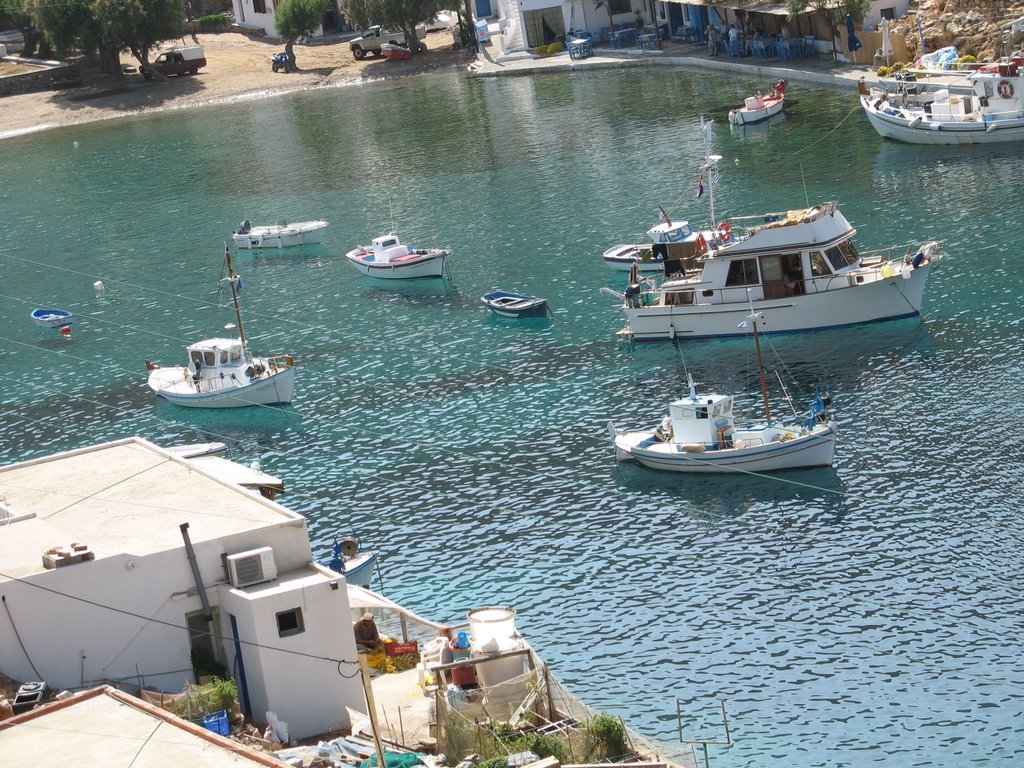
801	268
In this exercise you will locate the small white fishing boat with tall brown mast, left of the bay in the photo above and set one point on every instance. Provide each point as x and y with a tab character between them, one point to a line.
222	372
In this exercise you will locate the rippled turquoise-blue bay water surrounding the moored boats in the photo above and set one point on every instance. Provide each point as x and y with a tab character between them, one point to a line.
869	615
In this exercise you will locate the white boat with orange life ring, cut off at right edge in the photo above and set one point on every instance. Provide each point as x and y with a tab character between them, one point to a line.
970	107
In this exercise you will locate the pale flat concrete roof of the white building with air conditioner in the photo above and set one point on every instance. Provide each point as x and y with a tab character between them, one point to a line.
124	497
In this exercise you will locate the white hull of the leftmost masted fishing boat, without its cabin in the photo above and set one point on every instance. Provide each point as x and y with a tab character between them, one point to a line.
175	385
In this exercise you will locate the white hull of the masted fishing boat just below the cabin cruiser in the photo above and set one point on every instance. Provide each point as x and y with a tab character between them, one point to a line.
815	450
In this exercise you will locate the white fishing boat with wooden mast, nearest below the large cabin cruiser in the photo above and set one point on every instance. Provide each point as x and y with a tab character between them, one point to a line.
702	435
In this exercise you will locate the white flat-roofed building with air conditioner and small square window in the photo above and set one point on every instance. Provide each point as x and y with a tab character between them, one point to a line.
124	604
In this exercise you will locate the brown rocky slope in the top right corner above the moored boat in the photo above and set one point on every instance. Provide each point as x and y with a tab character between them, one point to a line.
973	26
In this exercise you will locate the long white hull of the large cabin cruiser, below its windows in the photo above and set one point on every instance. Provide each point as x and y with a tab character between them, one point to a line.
884	300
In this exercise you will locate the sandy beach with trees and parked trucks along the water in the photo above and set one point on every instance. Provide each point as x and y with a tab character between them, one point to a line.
238	69
